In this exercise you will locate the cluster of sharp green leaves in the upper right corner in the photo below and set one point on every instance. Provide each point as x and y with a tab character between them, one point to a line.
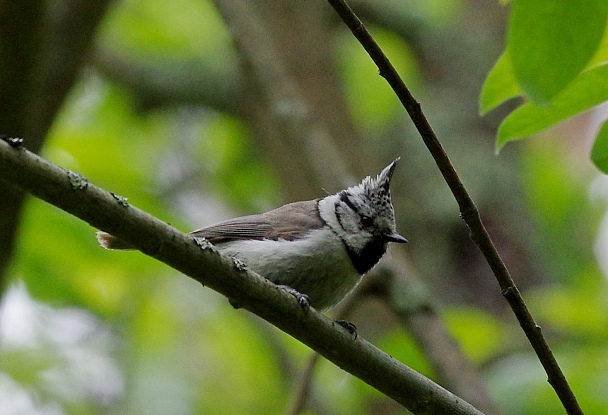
556	57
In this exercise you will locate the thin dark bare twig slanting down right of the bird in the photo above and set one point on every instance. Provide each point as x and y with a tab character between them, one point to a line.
468	210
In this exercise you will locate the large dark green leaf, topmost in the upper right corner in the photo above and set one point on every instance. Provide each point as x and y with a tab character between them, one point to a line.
552	41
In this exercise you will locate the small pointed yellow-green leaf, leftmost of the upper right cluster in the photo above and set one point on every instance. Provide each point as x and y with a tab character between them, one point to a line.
499	86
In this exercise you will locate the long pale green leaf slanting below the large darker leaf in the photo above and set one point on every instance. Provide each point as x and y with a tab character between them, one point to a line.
586	91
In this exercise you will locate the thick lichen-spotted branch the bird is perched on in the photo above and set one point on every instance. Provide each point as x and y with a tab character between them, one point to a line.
72	193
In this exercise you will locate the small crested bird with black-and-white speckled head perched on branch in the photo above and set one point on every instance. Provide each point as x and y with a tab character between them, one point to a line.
318	250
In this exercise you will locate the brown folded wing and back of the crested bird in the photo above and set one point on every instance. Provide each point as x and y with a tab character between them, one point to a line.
288	222
